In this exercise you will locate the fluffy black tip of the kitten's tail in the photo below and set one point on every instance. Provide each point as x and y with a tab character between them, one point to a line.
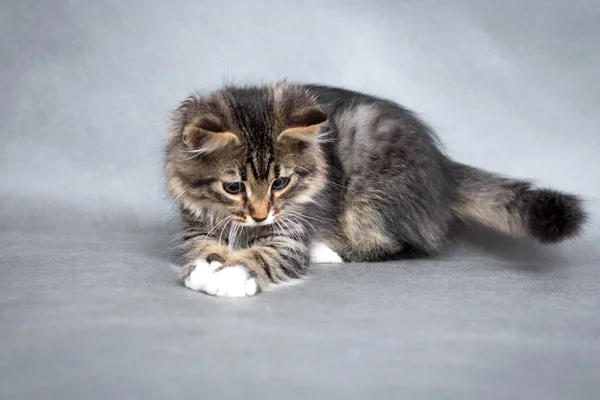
552	216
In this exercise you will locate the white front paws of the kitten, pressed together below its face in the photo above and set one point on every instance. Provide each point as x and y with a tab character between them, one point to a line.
232	281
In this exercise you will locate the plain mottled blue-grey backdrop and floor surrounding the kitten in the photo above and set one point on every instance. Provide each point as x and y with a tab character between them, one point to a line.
89	305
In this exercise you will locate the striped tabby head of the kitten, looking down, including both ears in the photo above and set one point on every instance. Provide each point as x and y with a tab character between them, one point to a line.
251	153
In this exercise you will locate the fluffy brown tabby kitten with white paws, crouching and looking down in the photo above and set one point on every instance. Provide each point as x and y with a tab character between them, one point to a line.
265	174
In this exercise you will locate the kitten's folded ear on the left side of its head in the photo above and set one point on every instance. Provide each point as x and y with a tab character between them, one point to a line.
206	134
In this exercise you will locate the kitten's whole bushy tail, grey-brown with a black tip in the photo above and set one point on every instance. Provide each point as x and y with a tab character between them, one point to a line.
514	207
